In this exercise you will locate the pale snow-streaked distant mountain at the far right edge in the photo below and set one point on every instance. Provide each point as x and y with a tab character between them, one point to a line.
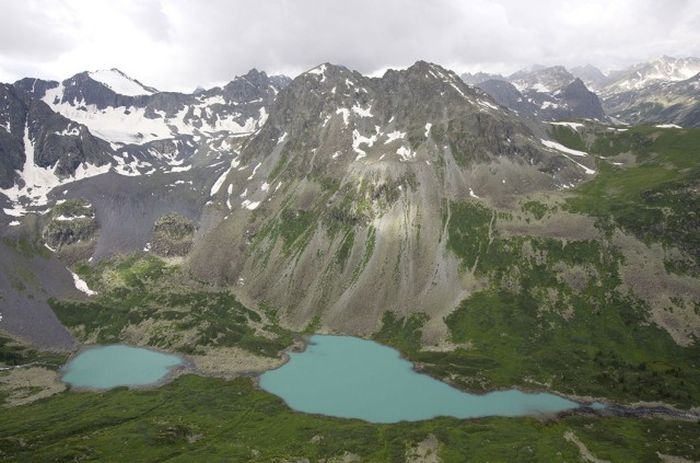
664	91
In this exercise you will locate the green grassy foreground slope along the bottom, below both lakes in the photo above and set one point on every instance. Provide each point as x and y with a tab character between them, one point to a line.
200	419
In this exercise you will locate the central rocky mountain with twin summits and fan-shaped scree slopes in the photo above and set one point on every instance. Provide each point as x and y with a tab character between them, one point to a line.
344	192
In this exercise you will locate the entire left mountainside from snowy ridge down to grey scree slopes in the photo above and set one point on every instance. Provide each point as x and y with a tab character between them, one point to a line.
154	154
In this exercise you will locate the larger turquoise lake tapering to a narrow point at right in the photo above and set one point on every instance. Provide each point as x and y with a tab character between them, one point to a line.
353	378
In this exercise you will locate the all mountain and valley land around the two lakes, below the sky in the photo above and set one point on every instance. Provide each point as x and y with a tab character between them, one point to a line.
537	231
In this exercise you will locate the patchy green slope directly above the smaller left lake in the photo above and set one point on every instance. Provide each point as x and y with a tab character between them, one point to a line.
137	291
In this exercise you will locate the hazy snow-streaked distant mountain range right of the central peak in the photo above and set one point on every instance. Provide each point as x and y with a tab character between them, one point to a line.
664	91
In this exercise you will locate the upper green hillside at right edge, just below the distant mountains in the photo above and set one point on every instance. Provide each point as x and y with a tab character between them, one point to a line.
657	199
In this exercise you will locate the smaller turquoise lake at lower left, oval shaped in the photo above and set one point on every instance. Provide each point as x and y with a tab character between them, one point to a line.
106	367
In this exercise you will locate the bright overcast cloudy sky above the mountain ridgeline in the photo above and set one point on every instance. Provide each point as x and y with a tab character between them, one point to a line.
179	44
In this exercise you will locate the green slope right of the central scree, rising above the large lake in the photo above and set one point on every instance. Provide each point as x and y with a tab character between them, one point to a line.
553	316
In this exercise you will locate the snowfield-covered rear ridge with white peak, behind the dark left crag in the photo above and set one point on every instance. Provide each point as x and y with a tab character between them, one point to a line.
136	117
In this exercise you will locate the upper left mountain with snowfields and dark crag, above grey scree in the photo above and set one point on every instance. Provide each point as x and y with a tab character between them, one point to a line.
99	121
